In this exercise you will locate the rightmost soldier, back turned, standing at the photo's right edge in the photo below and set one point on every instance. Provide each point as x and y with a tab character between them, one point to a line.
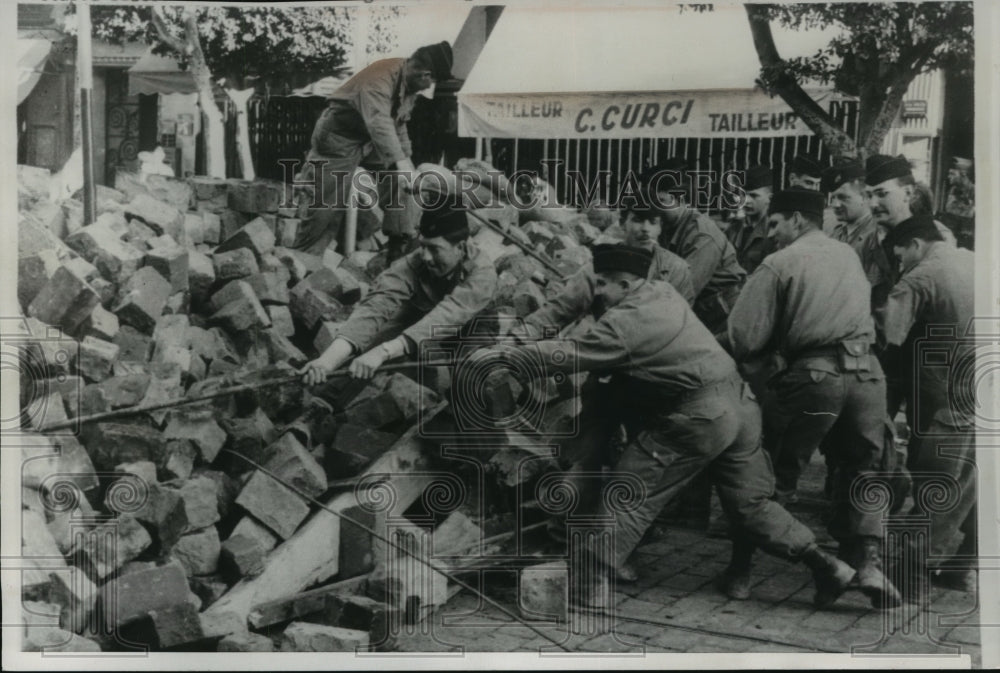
936	289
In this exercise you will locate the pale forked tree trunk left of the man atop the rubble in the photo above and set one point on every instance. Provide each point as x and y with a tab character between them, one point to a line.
213	128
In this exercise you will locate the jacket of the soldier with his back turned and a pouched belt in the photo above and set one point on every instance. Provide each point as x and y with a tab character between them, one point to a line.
810	295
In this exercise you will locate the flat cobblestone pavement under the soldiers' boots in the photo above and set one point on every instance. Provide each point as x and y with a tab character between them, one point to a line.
675	607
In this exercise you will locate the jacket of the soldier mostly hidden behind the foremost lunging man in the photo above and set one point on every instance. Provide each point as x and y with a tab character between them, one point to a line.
576	296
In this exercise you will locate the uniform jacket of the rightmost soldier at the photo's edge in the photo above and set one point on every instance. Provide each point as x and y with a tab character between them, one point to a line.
938	291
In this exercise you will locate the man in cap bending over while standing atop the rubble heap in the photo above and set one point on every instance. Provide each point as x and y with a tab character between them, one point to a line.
365	125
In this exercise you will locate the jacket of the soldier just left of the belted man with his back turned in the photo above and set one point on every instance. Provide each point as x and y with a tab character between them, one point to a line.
707	251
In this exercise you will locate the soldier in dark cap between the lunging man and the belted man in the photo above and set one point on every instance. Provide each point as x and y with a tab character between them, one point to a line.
715	274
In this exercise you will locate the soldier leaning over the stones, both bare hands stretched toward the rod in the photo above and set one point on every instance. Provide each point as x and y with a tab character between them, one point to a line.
446	282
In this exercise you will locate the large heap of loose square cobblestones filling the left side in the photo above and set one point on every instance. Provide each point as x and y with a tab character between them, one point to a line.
136	526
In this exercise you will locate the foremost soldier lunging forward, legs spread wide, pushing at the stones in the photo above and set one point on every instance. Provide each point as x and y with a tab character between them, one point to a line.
685	410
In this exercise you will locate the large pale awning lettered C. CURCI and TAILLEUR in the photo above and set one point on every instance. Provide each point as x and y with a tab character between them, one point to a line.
625	72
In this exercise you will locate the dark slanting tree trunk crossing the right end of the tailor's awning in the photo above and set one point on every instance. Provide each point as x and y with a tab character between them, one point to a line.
816	118
